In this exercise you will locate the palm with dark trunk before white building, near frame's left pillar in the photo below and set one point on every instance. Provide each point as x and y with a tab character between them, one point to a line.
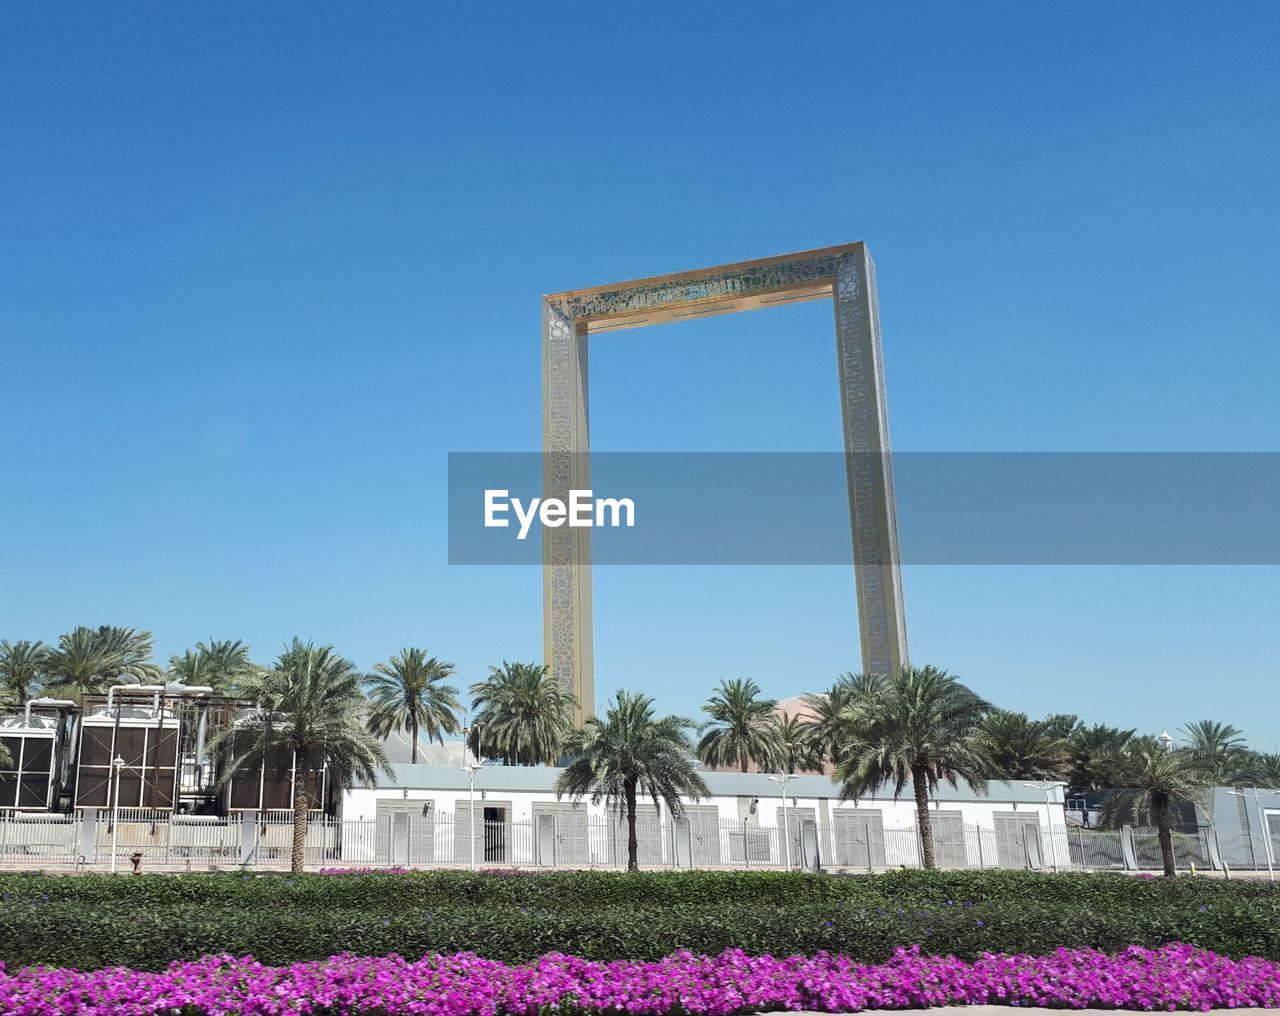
628	754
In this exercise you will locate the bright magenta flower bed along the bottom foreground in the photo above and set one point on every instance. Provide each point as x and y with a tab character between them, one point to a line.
1172	977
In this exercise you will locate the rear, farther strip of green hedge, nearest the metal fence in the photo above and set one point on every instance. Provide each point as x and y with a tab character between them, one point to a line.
589	890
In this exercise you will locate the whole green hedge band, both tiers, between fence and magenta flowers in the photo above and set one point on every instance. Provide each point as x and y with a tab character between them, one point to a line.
148	922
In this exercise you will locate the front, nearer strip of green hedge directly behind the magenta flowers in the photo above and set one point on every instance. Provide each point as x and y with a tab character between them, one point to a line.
92	936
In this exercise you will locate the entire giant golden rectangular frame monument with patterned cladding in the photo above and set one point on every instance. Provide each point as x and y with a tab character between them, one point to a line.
848	277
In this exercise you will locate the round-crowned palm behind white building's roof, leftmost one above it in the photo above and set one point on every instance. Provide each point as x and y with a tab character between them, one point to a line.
408	694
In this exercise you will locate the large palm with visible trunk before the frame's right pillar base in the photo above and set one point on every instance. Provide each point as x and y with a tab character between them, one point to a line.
921	730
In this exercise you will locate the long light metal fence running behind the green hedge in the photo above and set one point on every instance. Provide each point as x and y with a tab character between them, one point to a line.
171	843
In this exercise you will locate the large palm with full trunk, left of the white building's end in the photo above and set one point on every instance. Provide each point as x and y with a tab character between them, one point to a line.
310	708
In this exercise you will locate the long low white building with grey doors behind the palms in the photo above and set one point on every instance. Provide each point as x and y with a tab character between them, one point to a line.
423	816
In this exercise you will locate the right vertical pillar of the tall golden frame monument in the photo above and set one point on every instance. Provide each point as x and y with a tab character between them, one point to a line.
877	565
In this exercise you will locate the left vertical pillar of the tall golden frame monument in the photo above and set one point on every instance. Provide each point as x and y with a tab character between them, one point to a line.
566	552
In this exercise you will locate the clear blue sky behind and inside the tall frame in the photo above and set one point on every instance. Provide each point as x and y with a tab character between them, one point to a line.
263	268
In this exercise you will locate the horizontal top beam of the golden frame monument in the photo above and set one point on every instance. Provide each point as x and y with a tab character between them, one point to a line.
723	290
